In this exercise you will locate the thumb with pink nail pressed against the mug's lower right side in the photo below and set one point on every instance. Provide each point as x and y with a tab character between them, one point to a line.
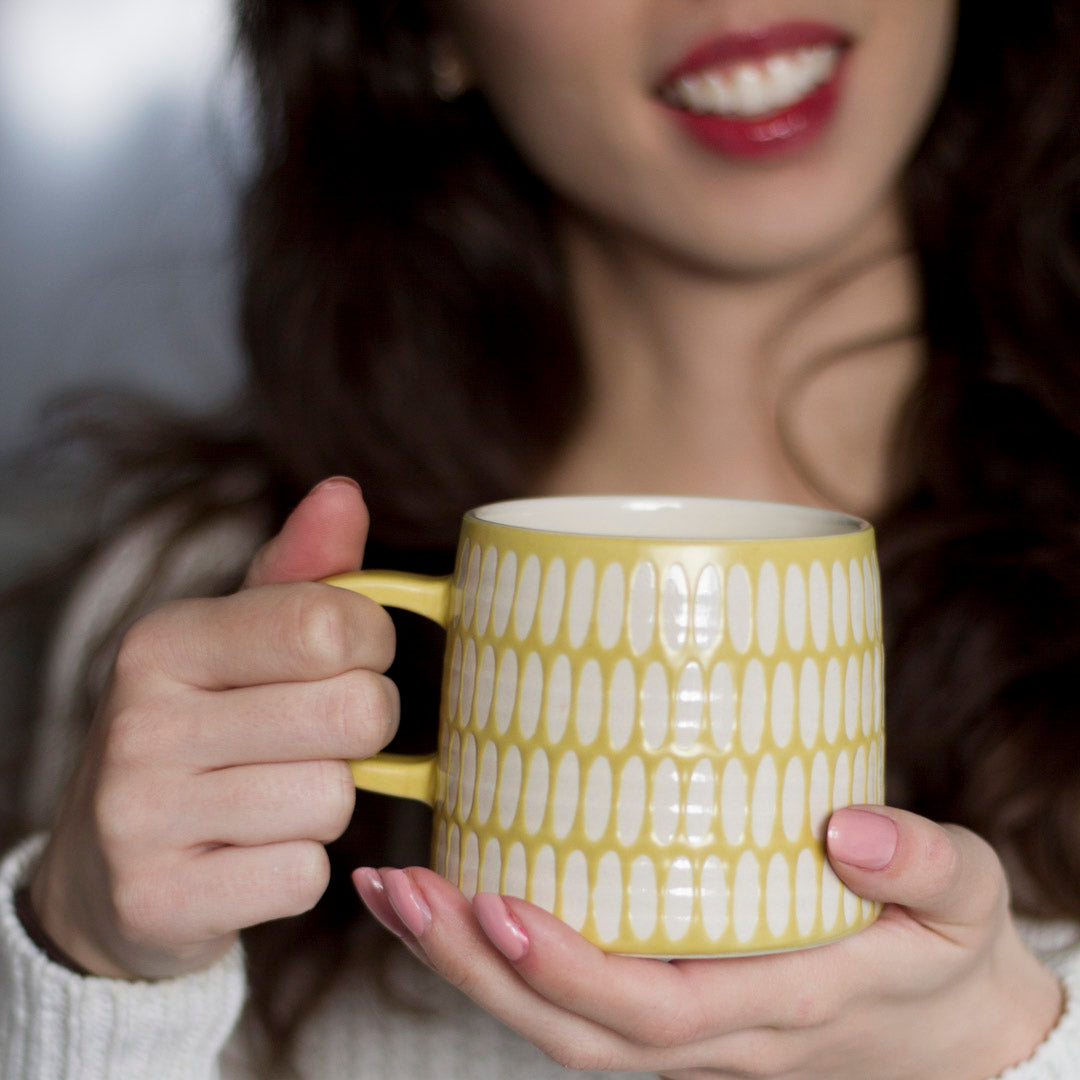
943	875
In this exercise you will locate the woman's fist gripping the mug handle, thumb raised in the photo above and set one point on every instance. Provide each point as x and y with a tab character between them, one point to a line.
215	771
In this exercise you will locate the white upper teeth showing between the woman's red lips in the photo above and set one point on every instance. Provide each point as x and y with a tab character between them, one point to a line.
755	89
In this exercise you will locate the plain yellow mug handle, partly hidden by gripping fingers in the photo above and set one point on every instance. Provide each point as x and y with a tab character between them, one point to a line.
407	776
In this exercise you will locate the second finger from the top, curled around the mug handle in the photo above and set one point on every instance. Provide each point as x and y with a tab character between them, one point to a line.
353	715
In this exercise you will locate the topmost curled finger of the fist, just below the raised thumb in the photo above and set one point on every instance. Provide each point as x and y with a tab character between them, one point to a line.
269	634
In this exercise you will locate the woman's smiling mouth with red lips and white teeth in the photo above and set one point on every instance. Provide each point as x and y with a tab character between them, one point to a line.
762	94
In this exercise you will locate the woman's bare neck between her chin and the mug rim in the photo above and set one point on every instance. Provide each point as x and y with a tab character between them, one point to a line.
708	384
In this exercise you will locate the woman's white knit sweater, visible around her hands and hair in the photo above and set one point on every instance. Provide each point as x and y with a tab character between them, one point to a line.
57	1025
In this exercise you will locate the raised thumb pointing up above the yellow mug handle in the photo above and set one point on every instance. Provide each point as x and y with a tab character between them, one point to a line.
325	535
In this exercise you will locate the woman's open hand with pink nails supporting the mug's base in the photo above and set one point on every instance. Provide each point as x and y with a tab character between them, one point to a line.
941	987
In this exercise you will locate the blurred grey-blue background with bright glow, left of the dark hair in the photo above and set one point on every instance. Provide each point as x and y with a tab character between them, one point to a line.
123	143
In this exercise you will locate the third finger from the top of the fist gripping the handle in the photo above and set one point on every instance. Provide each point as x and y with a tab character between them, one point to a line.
256	805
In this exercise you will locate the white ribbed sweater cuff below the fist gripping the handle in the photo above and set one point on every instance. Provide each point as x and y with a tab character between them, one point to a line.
57	1025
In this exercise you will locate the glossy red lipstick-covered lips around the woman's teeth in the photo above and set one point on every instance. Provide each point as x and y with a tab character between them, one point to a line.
774	132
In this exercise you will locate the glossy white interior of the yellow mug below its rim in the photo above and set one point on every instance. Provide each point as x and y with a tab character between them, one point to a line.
669	518
